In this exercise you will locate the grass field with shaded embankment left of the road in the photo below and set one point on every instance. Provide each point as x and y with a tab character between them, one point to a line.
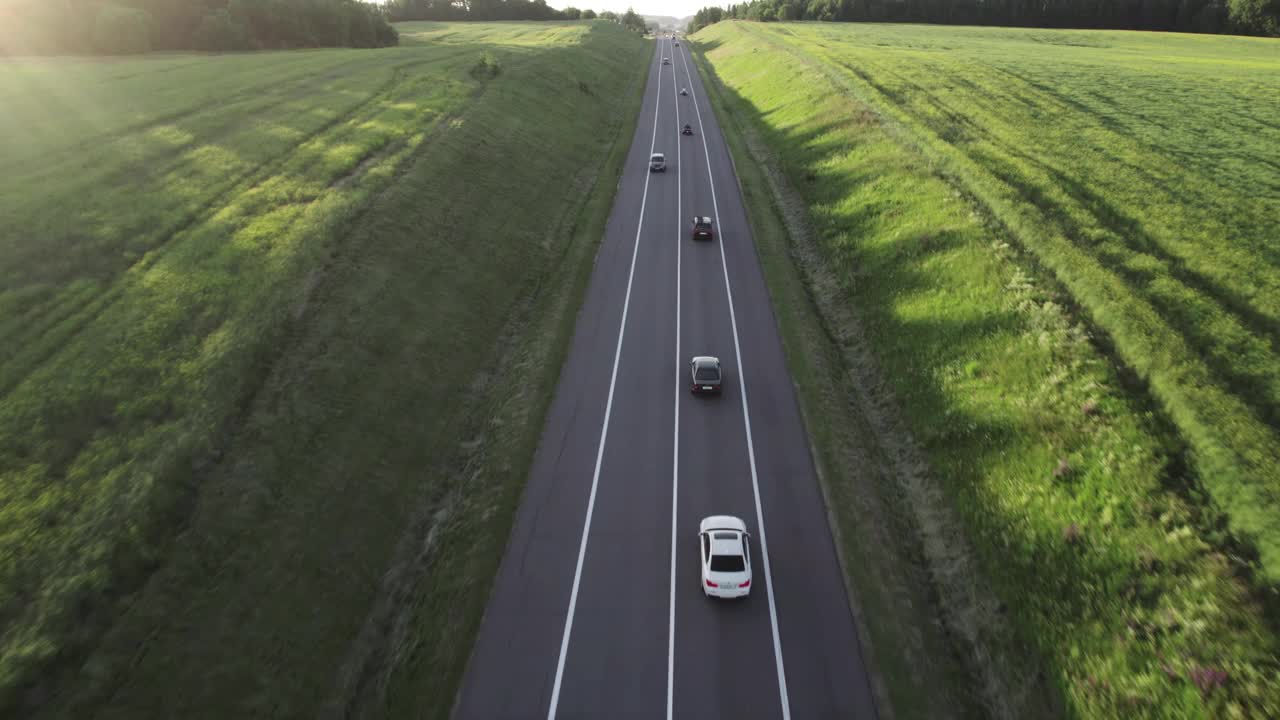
248	303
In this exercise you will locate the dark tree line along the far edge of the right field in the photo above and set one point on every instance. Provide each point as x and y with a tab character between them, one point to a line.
1242	17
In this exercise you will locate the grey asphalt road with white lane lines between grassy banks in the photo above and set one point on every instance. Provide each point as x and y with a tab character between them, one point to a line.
598	609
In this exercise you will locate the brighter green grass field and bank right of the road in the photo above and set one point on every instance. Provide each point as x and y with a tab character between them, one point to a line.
1060	249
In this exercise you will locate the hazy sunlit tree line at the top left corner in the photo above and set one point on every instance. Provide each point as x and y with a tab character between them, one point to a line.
141	26
